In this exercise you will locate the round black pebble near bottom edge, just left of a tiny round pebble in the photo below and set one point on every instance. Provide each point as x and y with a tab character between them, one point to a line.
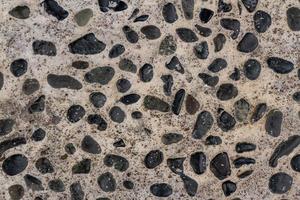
107	182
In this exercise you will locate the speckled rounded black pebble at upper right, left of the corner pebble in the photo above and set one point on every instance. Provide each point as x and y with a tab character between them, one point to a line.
262	21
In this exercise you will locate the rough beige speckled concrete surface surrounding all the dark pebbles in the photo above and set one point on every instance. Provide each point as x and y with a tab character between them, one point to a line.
143	135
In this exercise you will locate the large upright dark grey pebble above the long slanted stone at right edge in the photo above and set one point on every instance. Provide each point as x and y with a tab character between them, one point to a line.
274	122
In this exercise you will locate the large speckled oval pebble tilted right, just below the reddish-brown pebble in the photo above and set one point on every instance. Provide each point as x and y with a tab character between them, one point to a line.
203	124
